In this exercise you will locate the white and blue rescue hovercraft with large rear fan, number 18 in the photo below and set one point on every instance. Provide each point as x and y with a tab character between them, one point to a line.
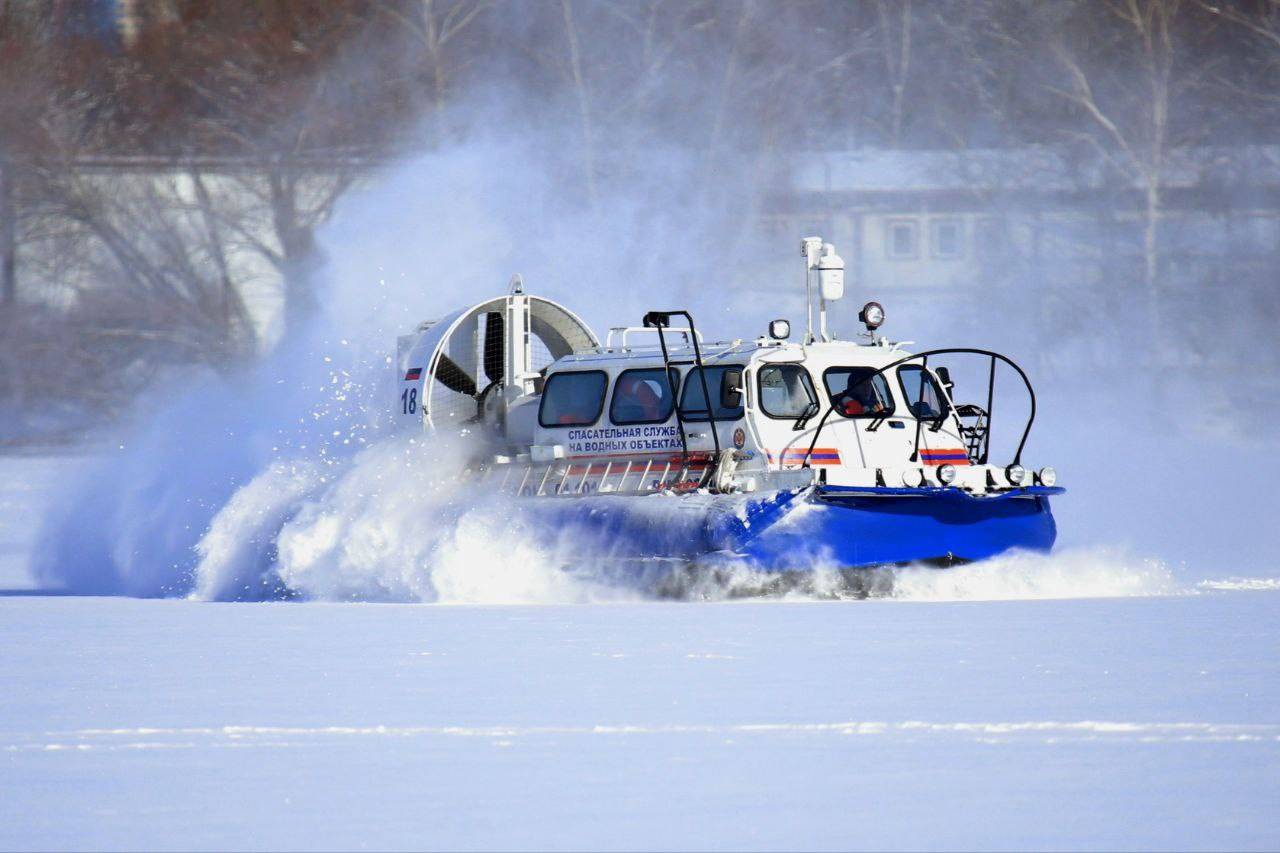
780	457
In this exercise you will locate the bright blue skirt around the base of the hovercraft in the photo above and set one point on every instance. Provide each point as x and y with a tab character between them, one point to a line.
830	527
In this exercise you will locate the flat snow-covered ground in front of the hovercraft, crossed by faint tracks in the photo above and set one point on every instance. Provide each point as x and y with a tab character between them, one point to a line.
1148	719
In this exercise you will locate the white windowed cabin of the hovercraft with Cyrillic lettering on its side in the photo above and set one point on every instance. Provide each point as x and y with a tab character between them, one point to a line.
770	404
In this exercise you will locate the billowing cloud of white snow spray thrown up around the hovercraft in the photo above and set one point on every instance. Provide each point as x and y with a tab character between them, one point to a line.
286	481
